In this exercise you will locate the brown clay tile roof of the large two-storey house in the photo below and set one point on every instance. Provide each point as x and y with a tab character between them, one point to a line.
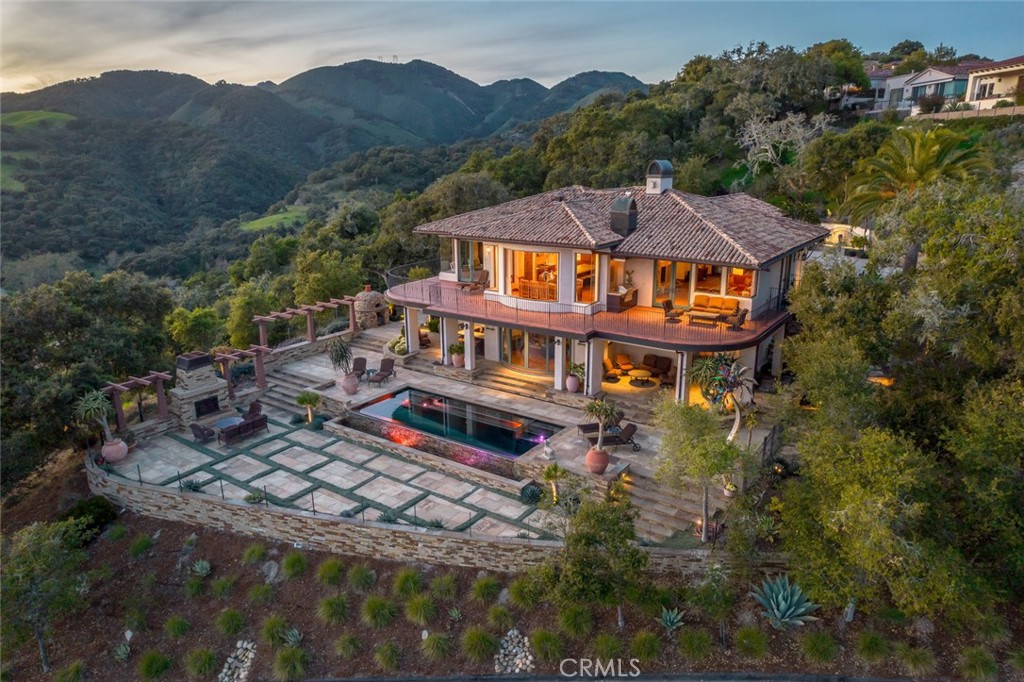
735	230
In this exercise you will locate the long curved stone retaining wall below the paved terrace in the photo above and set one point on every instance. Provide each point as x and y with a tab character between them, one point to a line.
367	539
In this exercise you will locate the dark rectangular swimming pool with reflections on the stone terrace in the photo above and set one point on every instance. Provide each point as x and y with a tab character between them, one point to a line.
481	429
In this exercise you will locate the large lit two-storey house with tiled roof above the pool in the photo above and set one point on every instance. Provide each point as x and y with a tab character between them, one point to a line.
585	276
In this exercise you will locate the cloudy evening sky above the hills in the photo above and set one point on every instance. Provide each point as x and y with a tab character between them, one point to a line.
49	41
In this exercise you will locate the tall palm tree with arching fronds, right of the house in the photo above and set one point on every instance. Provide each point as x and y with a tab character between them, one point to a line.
910	160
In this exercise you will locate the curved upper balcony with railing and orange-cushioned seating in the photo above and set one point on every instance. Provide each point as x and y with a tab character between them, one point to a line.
639	324
